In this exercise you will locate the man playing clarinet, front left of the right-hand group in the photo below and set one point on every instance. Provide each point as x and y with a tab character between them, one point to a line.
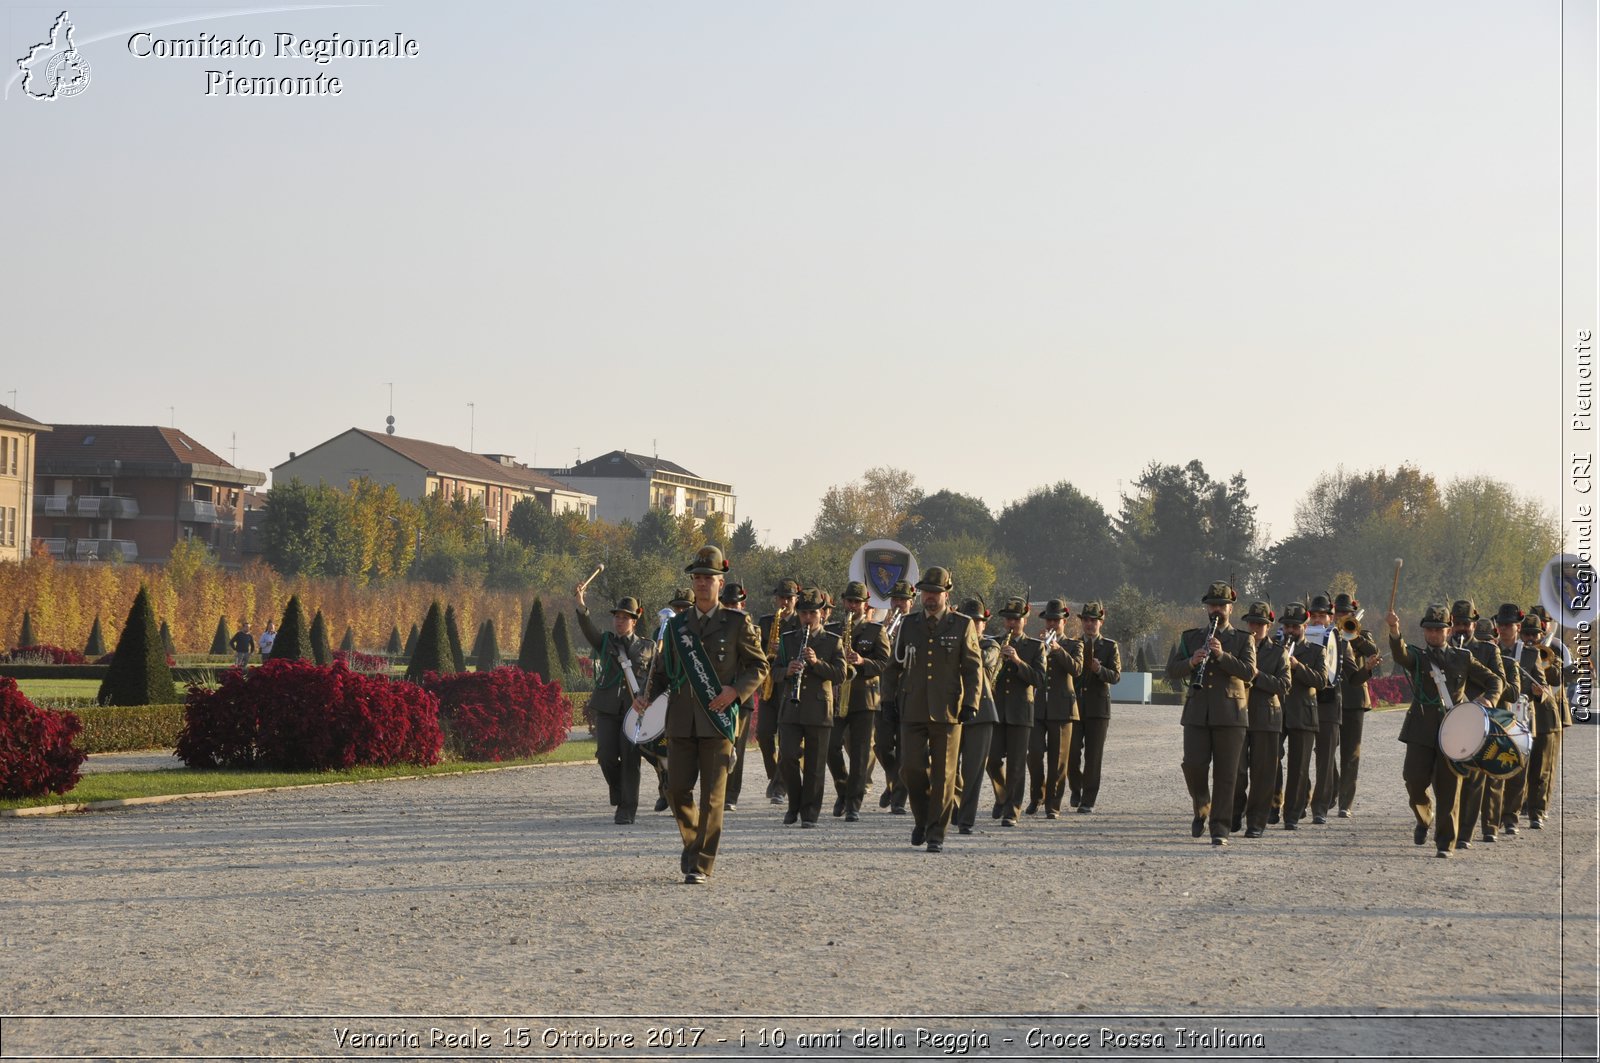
1217	710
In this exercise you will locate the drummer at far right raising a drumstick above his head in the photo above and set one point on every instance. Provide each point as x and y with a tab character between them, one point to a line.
1433	667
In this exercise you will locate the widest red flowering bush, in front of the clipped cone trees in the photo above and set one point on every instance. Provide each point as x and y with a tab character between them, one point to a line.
303	716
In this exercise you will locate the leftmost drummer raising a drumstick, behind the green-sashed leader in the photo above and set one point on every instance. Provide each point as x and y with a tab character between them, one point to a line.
614	697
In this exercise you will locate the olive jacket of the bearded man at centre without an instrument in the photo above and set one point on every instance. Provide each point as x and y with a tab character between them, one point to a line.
937	668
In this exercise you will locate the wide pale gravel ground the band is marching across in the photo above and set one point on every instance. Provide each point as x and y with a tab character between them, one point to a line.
514	896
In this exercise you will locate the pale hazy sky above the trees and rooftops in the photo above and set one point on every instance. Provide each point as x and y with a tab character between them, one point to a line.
998	246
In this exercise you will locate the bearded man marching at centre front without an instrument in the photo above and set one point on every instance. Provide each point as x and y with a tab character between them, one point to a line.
937	675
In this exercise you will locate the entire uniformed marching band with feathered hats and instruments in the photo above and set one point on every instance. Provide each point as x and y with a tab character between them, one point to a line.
1271	723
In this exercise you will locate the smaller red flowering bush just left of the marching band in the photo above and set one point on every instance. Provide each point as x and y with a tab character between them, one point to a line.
502	715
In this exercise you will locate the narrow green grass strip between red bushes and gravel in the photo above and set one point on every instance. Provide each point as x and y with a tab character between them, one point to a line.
122	785
